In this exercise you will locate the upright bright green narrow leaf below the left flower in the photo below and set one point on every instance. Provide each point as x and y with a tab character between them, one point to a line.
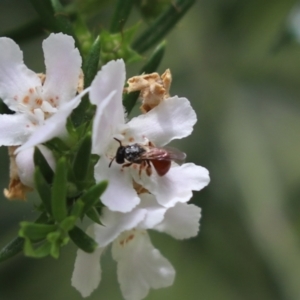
59	191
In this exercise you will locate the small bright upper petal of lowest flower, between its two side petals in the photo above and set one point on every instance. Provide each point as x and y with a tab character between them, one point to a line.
155	212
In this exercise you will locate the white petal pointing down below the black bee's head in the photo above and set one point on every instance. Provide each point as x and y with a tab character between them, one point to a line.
119	195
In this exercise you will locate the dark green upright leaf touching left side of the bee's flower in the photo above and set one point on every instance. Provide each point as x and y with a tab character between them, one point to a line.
82	158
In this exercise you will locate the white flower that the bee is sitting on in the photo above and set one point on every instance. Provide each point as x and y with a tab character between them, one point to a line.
172	119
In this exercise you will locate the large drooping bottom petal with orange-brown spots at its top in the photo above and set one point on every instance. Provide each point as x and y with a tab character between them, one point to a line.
140	265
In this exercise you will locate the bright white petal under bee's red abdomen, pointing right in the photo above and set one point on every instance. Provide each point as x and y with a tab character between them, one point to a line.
175	186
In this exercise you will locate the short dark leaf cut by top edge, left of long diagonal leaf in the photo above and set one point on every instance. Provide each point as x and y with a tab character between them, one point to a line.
121	14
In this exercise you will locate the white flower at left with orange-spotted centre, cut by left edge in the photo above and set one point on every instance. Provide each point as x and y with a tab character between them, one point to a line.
41	103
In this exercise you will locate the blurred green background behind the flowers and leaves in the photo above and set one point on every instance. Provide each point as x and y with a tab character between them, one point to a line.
246	92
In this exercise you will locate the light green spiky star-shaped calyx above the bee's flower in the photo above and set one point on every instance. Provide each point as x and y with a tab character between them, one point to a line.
118	45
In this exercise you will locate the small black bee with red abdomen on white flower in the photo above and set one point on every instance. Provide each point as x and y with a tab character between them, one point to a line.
160	158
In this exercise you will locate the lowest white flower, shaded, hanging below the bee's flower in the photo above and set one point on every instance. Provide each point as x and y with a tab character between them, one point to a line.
139	265
